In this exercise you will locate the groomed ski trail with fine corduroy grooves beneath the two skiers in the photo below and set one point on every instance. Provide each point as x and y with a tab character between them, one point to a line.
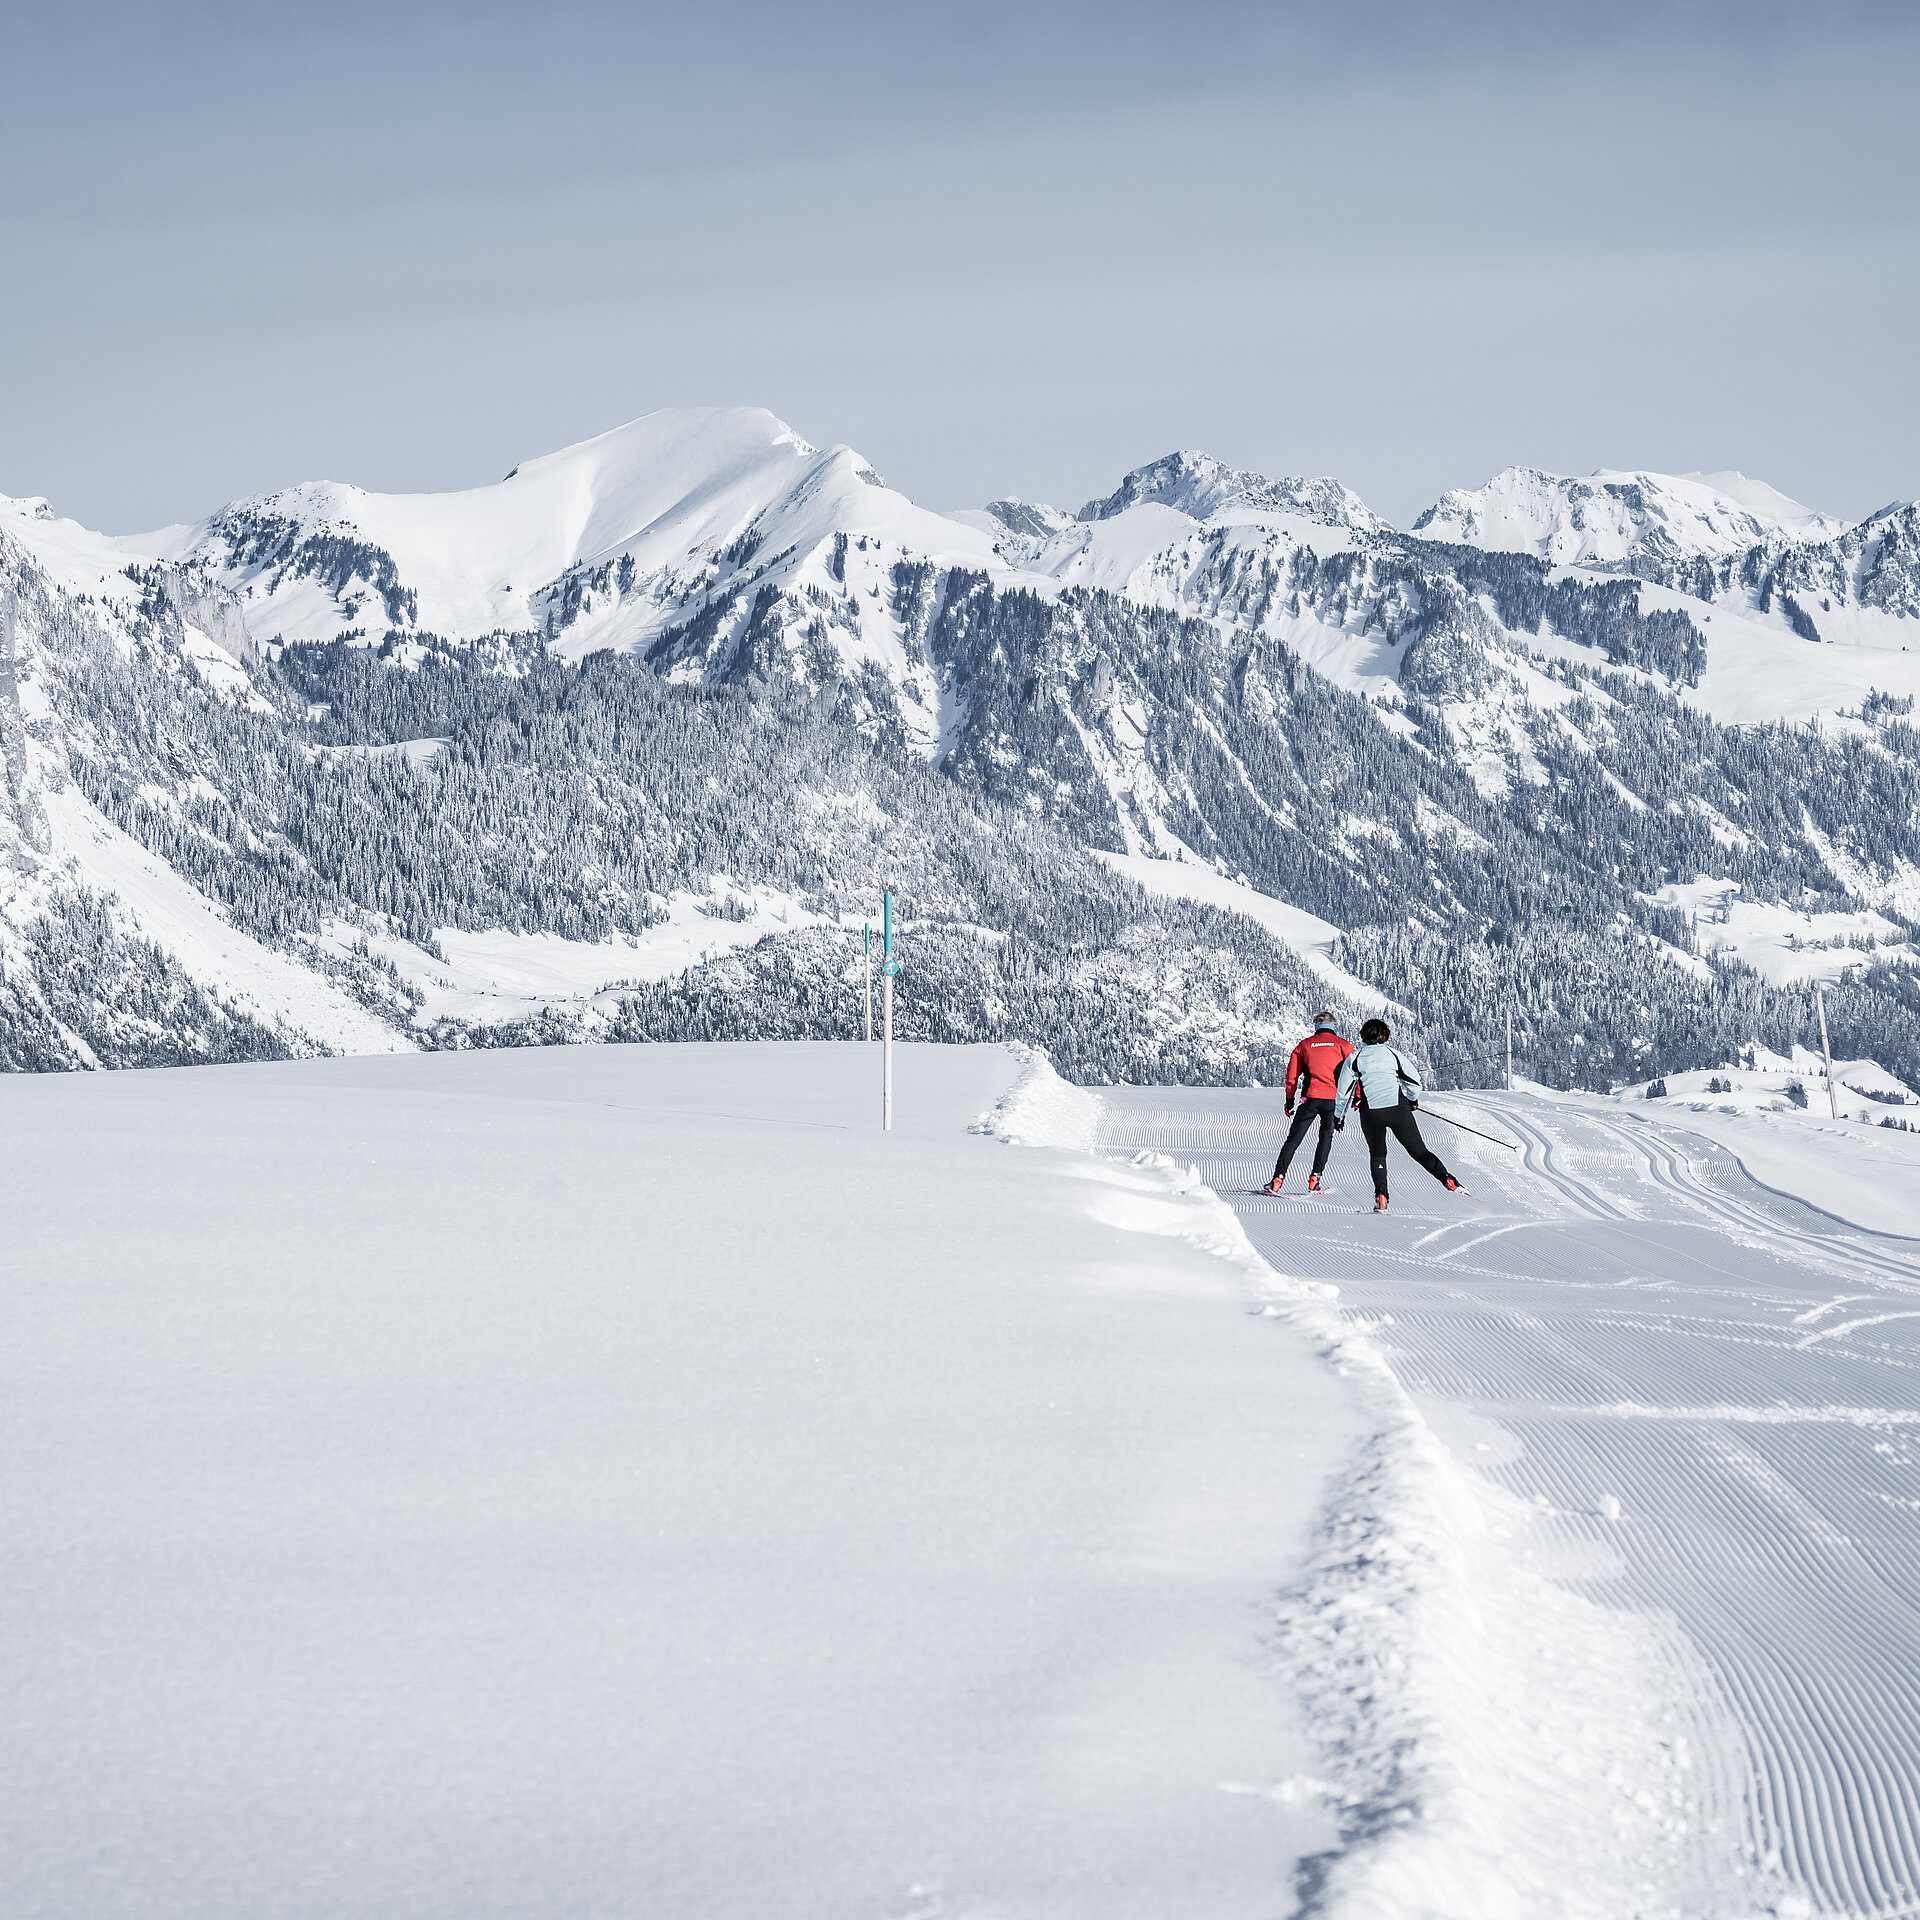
1708	1454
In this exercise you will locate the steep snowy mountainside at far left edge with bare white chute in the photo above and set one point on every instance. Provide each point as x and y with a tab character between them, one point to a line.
108	951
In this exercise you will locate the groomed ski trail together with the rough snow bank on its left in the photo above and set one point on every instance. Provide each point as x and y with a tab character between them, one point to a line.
1660	1660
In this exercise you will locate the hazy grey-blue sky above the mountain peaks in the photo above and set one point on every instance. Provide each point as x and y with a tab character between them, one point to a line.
997	249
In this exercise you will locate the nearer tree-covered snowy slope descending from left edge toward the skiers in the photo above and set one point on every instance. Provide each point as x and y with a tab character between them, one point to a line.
220	850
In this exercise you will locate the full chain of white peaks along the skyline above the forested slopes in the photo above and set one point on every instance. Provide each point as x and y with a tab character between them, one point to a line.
723	546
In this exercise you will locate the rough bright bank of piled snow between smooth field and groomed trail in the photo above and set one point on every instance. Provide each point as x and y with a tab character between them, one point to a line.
1491	1740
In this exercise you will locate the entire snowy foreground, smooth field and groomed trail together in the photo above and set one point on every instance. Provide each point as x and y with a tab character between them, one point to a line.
625	1479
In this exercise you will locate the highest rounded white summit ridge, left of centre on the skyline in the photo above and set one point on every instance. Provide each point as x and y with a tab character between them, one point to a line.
604	544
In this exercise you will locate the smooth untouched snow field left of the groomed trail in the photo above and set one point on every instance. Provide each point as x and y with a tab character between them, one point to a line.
623	1481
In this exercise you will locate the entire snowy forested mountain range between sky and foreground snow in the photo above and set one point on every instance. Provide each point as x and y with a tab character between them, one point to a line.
335	771
